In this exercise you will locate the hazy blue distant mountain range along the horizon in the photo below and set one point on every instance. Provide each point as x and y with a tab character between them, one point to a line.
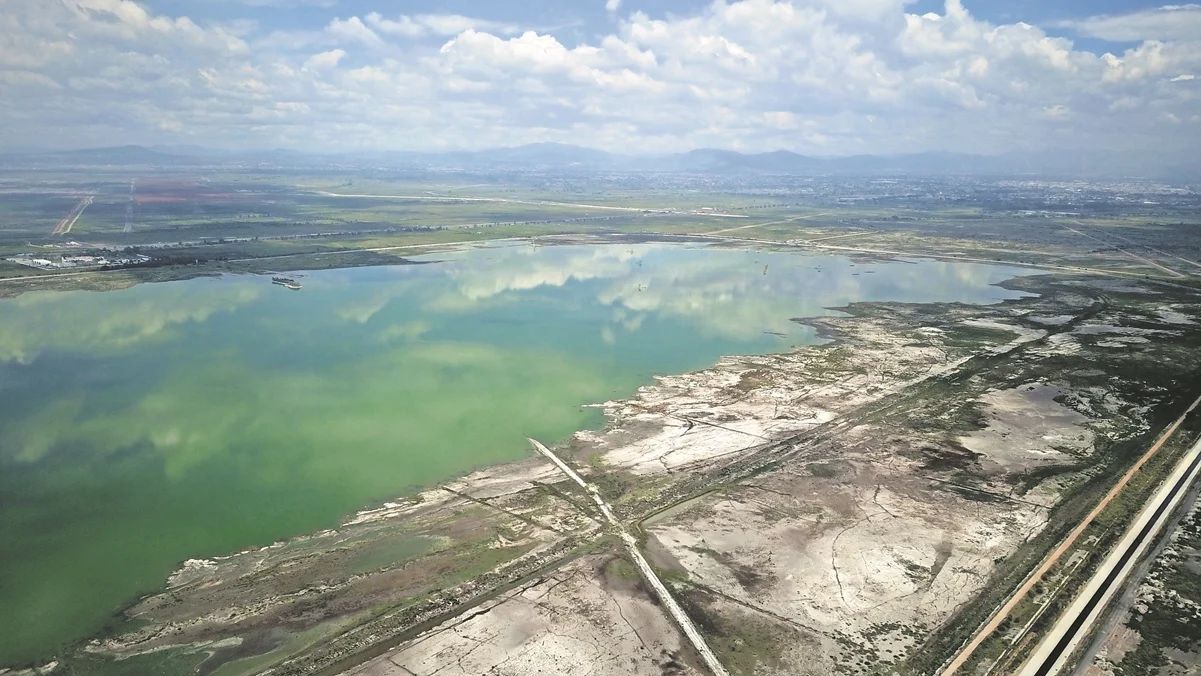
702	161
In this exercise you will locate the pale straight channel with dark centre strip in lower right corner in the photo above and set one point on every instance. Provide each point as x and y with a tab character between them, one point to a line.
1054	653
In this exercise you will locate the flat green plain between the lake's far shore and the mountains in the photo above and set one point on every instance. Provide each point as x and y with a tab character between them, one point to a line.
192	220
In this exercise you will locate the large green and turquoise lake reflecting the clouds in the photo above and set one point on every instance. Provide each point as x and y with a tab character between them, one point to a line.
144	427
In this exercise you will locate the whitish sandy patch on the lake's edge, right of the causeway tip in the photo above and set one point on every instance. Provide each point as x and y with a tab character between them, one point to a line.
683	421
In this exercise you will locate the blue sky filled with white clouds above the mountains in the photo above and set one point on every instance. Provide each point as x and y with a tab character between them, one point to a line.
817	77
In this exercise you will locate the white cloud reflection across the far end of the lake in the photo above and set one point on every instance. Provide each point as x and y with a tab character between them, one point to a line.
730	294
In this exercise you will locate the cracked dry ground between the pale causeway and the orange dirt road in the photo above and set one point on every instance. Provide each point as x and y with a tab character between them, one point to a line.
853	548
